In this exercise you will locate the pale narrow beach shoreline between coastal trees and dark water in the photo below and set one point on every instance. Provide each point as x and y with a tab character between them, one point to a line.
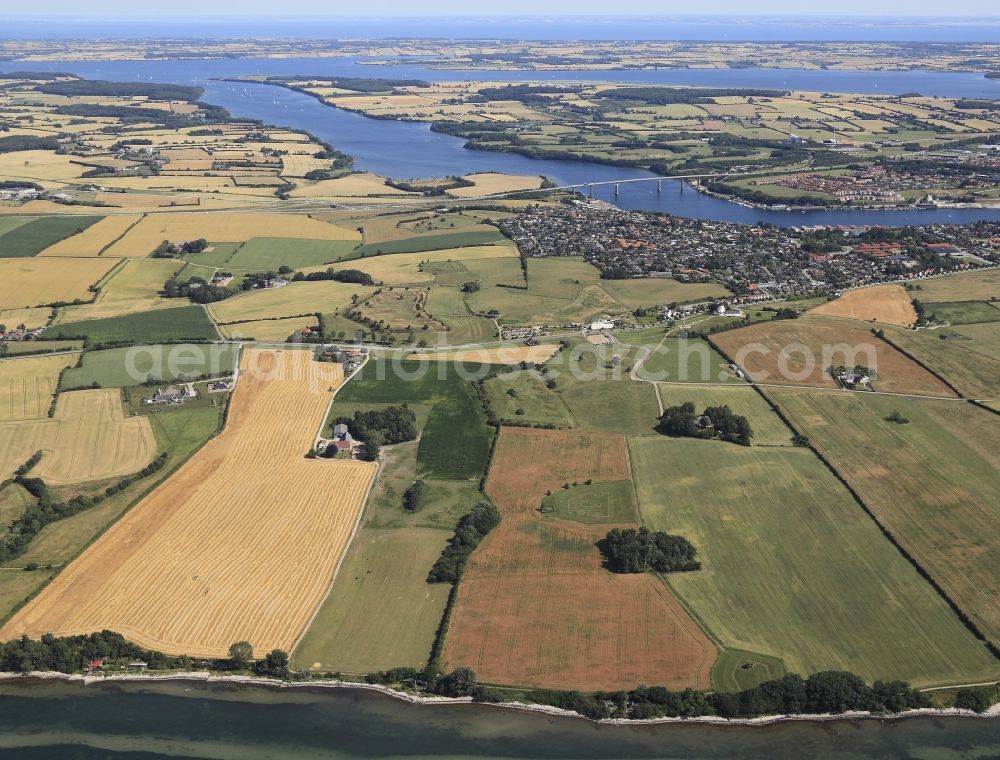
206	678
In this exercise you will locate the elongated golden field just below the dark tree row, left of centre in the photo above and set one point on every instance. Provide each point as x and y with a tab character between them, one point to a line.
294	299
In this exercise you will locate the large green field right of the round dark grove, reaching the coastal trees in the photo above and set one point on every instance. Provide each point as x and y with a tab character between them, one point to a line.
794	568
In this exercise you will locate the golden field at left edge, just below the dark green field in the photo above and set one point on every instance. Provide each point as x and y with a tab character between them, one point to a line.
36	281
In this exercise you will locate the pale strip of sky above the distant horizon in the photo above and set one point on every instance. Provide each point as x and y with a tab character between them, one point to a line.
175	9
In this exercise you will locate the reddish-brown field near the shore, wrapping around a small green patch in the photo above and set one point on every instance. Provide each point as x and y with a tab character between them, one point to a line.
535	607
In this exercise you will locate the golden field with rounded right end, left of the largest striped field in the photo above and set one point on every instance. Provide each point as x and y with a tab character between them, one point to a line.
89	438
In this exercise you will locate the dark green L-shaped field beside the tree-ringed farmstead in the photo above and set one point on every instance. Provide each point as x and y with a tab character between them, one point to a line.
456	441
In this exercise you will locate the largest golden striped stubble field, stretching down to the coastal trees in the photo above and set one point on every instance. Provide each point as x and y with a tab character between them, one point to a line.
240	543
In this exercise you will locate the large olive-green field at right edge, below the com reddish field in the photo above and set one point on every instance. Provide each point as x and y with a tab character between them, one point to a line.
931	482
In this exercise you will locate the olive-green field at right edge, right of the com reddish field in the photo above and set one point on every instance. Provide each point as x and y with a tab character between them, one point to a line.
963	357
